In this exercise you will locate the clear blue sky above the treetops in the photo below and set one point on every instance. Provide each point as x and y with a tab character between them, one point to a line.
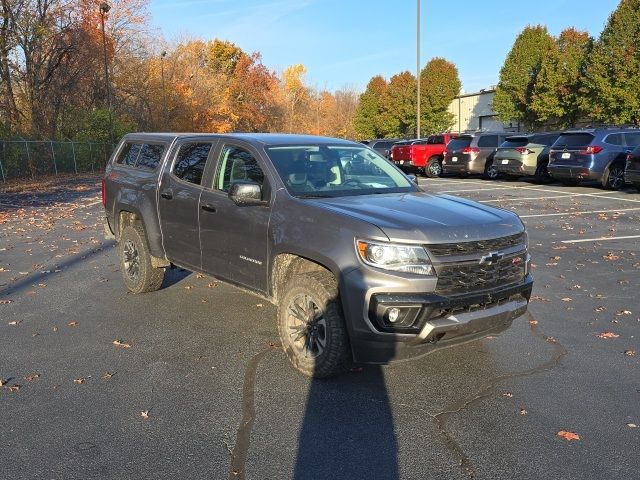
345	43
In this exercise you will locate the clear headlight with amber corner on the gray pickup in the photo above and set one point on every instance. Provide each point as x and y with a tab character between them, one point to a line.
398	258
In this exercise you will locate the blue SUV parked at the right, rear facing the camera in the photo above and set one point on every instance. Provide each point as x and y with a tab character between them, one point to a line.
593	154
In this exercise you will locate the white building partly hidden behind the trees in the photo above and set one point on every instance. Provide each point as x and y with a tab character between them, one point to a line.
474	111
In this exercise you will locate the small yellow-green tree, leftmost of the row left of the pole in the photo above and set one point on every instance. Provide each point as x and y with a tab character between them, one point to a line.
368	122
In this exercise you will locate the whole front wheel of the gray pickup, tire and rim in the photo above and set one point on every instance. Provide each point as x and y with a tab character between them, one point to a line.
311	325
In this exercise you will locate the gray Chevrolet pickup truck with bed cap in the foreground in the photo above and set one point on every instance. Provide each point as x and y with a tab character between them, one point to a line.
362	265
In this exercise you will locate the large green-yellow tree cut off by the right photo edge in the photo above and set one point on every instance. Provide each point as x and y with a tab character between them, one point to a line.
611	92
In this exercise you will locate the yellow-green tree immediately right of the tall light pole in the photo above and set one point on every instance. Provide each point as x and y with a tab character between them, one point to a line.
439	85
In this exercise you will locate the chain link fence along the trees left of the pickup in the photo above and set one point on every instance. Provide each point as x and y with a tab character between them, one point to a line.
33	158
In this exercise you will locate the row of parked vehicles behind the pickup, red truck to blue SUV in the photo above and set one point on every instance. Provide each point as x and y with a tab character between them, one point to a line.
603	154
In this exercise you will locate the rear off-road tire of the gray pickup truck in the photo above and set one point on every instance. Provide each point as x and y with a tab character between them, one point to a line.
148	278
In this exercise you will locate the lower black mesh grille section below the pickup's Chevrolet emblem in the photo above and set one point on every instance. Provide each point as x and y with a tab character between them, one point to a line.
470	277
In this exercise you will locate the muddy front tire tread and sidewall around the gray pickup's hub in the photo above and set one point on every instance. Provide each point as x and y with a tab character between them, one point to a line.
322	289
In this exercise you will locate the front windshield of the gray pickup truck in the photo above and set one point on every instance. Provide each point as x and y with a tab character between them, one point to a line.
331	171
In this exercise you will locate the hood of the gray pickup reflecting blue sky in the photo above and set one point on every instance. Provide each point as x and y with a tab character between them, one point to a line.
423	218
